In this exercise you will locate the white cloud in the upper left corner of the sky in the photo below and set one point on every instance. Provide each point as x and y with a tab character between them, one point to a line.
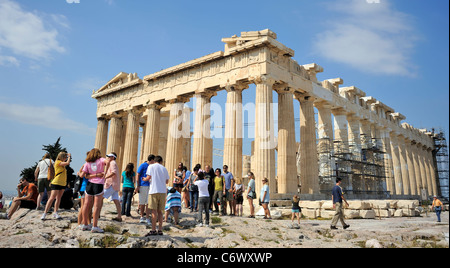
24	33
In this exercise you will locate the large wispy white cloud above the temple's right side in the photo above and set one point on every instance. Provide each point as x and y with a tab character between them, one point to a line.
374	38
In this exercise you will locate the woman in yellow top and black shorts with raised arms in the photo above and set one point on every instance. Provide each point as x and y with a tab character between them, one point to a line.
58	184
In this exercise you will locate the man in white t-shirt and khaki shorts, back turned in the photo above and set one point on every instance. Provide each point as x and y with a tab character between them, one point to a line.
158	176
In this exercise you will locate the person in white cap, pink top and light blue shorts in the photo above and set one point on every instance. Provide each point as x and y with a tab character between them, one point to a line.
112	185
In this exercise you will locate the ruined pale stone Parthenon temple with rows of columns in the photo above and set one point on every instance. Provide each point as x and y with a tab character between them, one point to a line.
343	132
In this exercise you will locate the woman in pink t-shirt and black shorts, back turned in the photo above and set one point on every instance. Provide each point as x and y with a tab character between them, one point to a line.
95	171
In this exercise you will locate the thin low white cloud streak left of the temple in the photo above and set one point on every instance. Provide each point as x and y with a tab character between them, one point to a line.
45	116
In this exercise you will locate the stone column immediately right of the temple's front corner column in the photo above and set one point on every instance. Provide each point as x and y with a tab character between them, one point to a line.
286	169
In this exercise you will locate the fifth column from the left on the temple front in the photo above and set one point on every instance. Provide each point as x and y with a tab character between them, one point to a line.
174	151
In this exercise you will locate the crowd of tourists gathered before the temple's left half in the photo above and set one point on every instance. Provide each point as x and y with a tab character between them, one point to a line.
202	191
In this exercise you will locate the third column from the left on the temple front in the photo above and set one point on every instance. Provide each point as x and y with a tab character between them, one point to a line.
130	150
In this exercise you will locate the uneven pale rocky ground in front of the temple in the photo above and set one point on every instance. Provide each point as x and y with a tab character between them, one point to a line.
26	230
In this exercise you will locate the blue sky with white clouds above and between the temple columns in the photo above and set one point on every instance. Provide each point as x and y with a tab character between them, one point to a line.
54	53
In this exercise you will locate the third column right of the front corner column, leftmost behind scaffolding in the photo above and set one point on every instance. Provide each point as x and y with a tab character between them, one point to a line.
325	145
